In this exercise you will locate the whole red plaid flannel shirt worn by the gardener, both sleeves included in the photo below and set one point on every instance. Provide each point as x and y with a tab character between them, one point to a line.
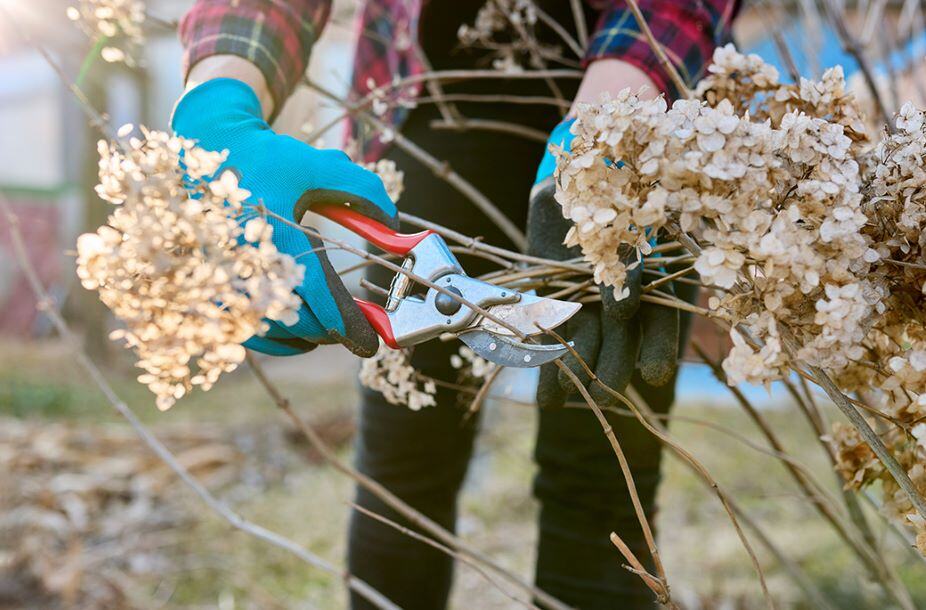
277	36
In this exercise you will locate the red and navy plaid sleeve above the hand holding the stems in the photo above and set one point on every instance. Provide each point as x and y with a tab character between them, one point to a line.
688	30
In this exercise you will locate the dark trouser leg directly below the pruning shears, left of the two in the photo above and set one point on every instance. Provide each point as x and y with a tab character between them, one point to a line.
422	458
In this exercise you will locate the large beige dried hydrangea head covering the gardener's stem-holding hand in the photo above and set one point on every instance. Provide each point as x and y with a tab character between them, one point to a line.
771	193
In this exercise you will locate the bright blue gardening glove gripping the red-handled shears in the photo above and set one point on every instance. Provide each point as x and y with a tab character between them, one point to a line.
288	177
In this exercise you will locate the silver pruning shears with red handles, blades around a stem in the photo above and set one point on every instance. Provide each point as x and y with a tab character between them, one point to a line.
410	317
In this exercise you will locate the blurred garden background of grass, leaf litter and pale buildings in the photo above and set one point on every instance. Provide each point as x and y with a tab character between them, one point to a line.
89	519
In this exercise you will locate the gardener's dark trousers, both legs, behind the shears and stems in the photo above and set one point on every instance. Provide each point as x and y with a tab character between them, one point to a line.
423	456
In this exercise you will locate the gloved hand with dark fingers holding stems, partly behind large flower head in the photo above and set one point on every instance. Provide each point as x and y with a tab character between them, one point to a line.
613	337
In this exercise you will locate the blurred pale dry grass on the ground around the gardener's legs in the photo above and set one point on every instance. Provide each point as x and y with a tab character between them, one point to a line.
210	566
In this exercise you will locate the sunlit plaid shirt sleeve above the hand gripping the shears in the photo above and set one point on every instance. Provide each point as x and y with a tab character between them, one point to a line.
275	35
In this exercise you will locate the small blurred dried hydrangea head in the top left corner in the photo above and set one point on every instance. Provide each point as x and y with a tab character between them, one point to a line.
117	22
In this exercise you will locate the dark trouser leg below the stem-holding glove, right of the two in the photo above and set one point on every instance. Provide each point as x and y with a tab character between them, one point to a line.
584	497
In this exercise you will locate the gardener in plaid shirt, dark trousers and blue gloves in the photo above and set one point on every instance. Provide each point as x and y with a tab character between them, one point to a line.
245	57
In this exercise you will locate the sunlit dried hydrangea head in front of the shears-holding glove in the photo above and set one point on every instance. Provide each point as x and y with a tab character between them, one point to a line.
183	264
